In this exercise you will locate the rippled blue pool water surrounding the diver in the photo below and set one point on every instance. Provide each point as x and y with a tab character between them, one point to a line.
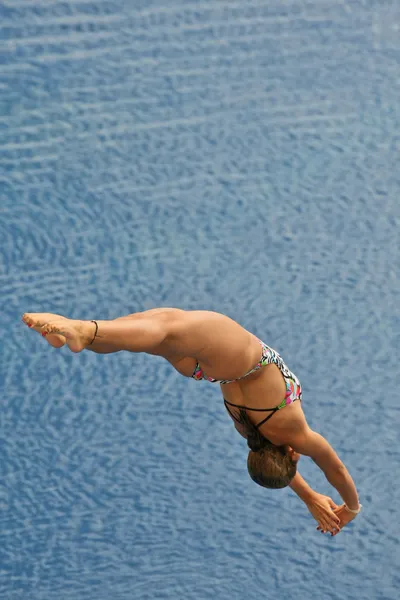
235	156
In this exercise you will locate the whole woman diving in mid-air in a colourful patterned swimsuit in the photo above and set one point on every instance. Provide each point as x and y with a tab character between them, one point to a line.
255	382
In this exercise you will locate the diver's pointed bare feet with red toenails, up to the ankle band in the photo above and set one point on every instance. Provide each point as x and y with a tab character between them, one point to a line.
77	334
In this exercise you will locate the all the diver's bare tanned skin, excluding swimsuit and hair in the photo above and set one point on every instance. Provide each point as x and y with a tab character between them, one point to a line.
224	350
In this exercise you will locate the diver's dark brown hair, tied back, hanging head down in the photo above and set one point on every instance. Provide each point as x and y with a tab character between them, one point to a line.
268	465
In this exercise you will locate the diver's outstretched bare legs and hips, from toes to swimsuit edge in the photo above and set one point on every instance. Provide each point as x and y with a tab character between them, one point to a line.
214	339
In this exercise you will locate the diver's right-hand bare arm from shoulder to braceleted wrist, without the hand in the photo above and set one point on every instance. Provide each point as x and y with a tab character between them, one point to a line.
312	444
